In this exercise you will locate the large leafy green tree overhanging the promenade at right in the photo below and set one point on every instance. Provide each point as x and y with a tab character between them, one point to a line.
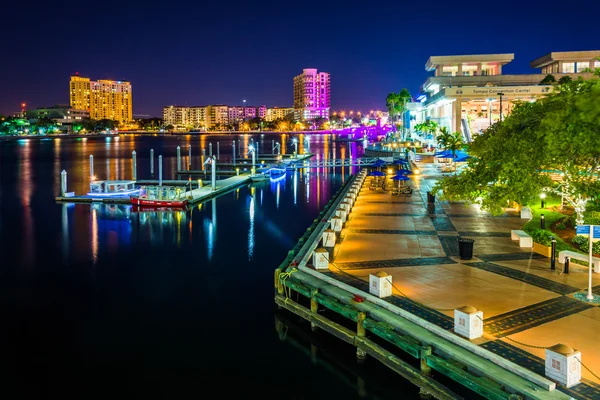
513	158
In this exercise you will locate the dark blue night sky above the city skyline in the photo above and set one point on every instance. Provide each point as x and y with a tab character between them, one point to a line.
197	53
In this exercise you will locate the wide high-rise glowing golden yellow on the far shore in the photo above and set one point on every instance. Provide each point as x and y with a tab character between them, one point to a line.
104	99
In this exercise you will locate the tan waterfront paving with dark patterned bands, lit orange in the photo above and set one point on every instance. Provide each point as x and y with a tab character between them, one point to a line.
520	296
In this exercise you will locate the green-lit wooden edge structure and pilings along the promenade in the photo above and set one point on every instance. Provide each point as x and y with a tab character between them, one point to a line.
389	333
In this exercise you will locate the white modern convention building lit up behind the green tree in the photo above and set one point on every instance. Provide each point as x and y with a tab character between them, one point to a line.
468	93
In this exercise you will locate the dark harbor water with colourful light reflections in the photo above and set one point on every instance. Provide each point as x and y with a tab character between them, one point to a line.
98	300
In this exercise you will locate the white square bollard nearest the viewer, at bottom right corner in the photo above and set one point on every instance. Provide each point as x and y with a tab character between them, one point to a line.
563	364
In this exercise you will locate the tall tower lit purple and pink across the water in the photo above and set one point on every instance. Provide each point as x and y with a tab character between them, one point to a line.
311	95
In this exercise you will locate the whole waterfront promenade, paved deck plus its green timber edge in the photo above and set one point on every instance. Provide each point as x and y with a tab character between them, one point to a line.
415	243
